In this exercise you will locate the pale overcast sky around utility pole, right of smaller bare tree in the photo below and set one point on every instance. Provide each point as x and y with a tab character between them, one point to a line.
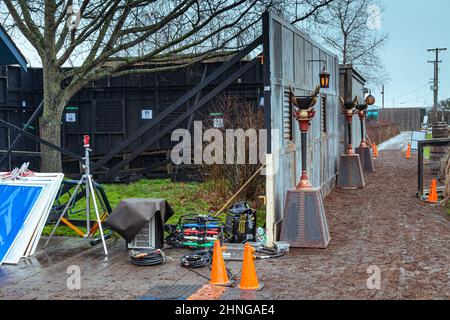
415	26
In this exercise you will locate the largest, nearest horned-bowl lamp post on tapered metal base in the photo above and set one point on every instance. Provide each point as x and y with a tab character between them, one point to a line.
304	222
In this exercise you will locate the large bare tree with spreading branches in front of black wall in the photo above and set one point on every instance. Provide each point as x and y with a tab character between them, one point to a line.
105	37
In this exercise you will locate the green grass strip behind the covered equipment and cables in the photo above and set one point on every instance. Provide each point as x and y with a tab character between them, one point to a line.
184	198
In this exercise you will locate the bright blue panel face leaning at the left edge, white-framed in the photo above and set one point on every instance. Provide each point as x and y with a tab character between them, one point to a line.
16	203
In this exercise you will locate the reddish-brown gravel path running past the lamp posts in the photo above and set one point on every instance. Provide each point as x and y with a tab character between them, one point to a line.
382	226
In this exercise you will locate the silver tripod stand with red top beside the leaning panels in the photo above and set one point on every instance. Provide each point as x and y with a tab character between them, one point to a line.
91	191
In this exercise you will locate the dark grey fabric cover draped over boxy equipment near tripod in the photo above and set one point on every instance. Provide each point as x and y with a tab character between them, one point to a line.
131	215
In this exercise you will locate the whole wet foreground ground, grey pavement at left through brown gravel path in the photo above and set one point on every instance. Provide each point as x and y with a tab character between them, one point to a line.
382	228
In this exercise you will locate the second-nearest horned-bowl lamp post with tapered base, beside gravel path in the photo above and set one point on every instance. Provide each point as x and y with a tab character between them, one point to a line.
350	174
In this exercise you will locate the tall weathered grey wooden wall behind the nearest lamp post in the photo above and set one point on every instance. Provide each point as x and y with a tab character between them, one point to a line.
289	51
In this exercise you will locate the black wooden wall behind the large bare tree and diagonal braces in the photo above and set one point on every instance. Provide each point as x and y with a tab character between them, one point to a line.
110	110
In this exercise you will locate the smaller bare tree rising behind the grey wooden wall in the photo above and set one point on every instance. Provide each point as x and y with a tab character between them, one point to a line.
352	29
